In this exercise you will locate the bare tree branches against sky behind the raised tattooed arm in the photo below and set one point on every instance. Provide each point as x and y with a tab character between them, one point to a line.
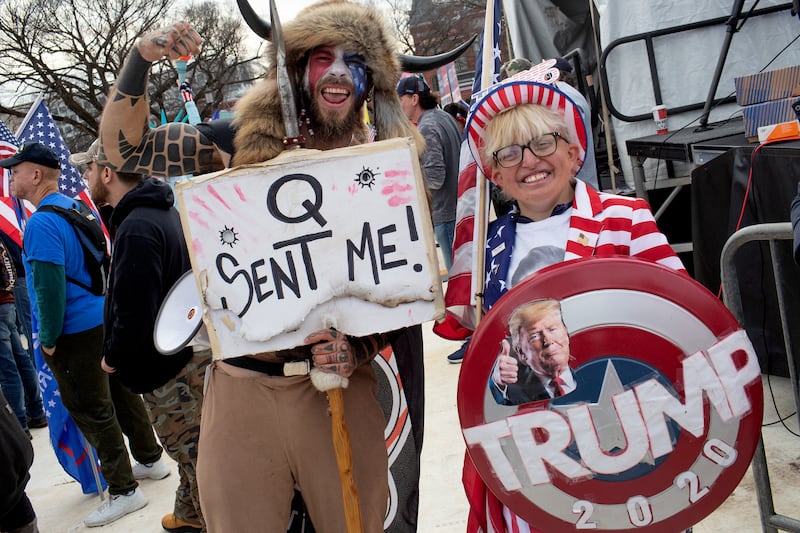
70	51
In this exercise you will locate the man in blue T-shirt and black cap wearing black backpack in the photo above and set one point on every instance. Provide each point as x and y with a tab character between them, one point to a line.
70	318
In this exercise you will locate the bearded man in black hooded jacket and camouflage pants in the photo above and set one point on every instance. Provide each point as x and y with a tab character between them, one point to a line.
149	256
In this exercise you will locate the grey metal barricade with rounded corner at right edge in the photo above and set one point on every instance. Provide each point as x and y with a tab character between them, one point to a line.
770	521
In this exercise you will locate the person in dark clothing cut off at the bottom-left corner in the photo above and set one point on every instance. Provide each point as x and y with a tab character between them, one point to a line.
16	457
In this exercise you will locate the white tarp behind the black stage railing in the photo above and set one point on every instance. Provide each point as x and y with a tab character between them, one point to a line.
686	61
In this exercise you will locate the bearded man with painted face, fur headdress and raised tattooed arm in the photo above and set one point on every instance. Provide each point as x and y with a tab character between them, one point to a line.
261	431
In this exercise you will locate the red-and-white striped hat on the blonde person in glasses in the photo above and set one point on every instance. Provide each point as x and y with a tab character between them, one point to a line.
534	86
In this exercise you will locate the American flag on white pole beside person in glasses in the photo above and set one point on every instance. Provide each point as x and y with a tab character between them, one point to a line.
460	319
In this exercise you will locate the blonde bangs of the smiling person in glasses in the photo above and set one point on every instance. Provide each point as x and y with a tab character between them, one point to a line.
520	124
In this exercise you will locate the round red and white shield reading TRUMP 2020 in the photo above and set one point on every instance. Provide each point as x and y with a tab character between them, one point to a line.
662	417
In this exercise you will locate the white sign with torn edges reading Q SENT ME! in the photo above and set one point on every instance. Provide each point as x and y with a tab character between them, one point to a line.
310	240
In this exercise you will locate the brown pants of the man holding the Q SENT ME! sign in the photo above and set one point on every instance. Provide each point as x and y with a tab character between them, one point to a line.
260	435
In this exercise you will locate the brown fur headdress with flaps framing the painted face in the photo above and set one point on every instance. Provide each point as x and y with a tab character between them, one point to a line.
360	29
